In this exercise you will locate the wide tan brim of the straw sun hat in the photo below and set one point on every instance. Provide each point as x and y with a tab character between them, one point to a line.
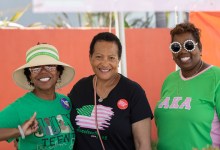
21	80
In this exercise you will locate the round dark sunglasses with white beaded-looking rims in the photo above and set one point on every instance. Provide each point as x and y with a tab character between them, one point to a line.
188	45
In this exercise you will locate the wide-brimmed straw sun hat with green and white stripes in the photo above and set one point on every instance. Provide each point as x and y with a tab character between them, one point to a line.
42	54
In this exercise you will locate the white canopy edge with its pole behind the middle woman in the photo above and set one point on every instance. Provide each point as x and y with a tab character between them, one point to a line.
120	6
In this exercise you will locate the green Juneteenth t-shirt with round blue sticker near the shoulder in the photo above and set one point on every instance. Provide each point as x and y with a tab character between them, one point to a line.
55	130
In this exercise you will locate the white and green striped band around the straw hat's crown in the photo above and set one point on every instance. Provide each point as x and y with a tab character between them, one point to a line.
42	52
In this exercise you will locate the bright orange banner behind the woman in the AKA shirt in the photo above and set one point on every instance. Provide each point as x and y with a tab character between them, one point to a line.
209	23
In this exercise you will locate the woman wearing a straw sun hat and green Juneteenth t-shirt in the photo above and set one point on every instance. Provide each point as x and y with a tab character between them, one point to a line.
49	128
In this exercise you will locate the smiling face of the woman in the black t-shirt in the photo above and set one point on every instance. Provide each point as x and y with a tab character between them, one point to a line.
105	60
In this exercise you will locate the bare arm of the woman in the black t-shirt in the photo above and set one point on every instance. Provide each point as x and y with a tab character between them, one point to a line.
141	132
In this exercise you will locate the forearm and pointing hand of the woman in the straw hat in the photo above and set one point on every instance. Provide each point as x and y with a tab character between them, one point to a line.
28	128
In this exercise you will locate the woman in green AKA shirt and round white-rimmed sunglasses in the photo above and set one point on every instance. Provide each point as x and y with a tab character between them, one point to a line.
187	115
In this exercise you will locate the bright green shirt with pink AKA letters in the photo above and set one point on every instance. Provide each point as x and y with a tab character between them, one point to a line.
187	114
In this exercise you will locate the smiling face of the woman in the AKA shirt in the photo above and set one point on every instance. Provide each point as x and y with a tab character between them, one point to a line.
186	60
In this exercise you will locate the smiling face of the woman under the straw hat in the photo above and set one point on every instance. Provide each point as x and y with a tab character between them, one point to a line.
44	78
